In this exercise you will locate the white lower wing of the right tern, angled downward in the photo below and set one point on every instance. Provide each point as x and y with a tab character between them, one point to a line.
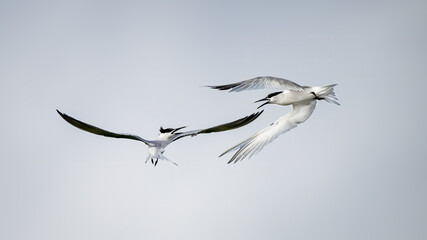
255	143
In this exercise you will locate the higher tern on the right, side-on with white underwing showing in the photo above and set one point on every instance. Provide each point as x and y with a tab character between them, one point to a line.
302	98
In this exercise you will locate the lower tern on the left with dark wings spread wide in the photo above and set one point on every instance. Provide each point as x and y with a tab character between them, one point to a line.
166	136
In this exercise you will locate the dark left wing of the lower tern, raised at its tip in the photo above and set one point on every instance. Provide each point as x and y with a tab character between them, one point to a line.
98	131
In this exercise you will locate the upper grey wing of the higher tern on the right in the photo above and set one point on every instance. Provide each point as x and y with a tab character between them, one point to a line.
260	83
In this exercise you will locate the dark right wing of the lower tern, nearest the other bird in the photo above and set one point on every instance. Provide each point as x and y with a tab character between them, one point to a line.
220	128
